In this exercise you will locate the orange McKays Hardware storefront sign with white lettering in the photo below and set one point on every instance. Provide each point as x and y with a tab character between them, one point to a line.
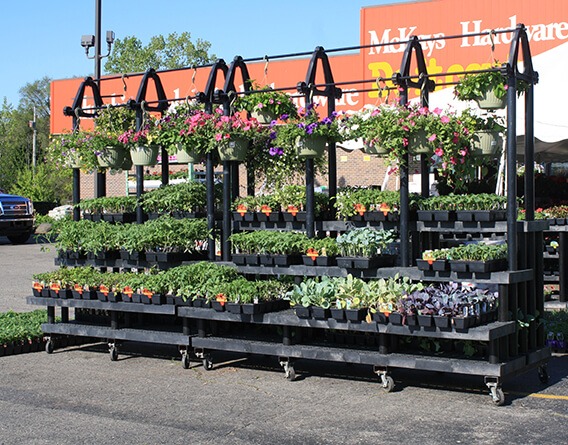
383	33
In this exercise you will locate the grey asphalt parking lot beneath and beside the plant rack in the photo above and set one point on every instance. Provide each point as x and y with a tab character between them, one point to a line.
77	395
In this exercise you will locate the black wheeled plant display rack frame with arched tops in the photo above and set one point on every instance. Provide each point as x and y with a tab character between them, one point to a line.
512	343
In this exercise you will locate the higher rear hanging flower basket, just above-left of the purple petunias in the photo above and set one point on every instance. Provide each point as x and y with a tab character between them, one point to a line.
266	104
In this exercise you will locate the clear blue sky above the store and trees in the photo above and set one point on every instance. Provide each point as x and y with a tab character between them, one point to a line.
43	38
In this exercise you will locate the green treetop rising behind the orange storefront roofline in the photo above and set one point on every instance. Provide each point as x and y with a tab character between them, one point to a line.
174	51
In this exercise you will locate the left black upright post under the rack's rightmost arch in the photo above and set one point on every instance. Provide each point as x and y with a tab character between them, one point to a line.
512	170
